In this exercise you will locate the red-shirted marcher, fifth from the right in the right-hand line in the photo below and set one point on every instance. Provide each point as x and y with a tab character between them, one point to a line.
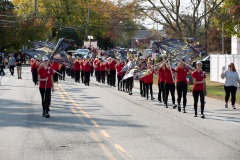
148	80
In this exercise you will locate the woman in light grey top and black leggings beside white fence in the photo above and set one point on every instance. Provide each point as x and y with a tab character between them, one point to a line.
231	83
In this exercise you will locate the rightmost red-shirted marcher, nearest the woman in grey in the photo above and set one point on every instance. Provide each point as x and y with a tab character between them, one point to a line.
199	87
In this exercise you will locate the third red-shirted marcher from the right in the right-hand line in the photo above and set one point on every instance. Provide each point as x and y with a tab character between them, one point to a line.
169	84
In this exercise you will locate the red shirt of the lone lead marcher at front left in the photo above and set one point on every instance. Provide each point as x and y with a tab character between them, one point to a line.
44	73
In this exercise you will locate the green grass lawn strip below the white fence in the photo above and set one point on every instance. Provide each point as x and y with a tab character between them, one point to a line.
214	89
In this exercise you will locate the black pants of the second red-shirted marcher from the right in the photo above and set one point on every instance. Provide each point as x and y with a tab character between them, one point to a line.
182	92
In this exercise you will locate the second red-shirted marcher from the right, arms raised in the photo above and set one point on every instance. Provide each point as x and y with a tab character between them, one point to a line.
182	84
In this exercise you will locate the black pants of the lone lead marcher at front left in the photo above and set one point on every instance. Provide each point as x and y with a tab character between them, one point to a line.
46	98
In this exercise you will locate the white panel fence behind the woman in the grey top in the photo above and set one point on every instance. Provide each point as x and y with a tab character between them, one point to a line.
217	62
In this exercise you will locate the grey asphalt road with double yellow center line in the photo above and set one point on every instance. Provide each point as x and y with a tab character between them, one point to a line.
99	122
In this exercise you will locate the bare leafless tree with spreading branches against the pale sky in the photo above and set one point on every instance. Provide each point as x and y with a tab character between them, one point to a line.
181	20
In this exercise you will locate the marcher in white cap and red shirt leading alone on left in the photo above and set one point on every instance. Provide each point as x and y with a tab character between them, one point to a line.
45	78
